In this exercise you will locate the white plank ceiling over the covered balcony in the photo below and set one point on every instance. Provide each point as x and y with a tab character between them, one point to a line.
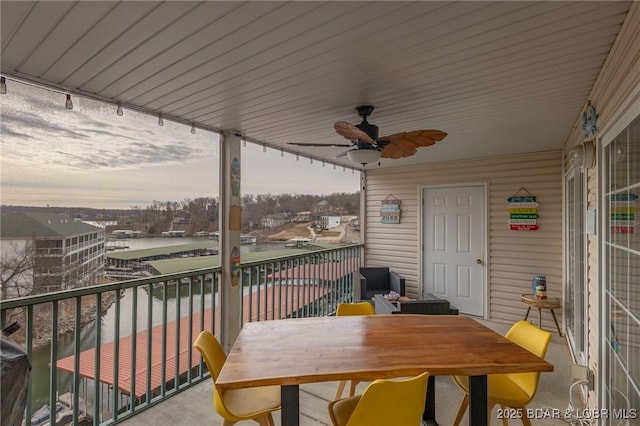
498	77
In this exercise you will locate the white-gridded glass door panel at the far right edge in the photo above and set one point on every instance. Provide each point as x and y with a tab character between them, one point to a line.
622	277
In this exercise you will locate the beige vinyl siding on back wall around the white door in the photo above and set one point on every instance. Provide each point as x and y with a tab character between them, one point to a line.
513	256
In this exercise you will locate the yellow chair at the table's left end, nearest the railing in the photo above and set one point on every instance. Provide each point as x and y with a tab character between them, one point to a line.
236	405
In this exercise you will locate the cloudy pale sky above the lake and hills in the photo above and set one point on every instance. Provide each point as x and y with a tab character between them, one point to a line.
90	157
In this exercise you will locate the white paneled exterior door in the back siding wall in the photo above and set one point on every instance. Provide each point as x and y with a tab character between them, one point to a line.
454	246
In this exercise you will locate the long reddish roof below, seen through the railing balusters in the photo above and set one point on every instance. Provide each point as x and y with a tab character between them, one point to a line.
161	366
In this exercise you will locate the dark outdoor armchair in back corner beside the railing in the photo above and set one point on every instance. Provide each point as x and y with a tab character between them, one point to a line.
369	281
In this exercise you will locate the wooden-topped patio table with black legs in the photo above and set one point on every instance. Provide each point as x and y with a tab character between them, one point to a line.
291	352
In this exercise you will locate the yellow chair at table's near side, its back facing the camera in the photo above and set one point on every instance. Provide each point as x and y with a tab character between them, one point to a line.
383	403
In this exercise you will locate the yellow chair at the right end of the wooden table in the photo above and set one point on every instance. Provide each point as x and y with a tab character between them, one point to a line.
513	390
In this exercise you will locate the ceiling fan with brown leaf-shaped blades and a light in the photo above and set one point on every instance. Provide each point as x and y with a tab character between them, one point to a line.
367	147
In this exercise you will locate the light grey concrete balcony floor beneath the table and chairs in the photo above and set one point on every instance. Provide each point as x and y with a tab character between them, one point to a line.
195	406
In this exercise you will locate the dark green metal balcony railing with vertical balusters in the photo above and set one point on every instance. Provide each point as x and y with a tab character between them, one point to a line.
138	351
